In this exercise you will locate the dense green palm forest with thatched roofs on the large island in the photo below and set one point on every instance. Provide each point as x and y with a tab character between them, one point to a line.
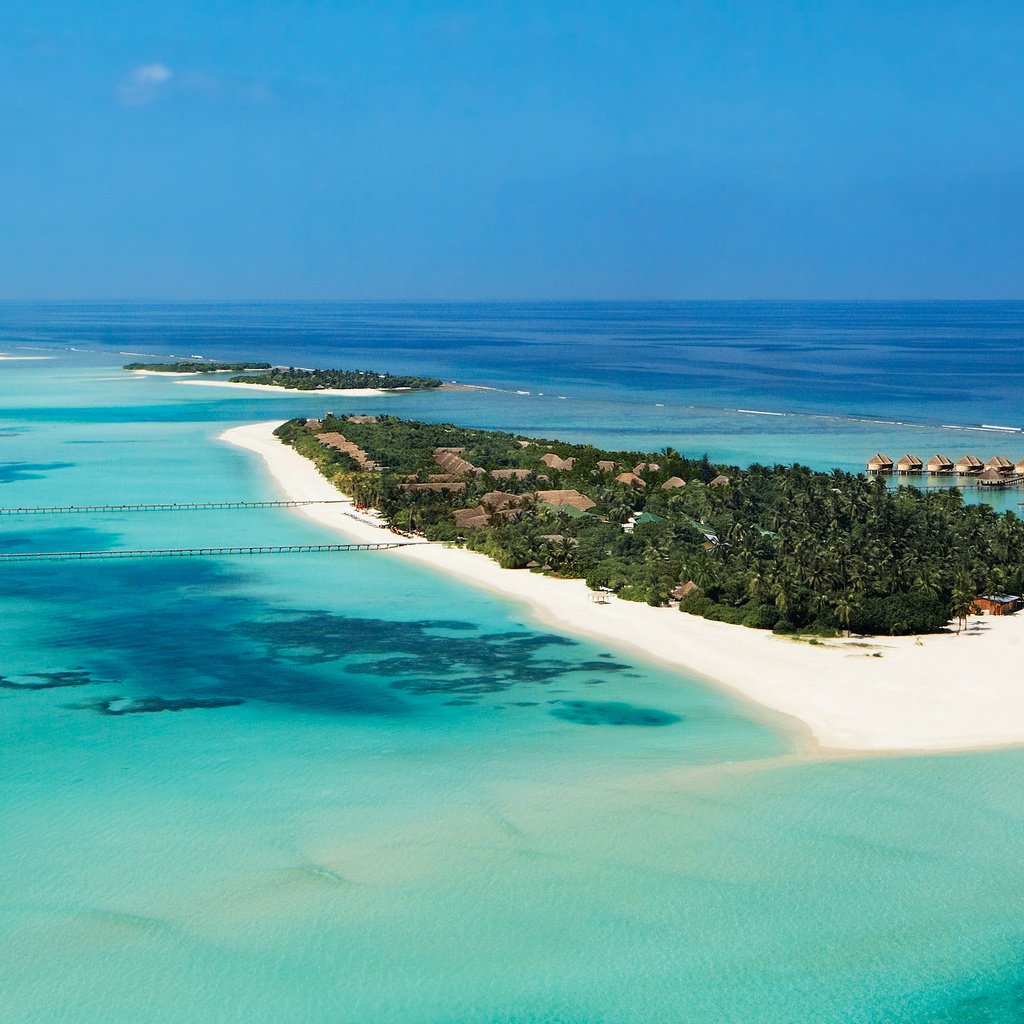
783	548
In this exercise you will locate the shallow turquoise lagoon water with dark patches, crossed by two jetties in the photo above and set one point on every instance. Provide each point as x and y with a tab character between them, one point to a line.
345	789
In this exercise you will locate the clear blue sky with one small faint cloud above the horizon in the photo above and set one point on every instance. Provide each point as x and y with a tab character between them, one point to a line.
504	151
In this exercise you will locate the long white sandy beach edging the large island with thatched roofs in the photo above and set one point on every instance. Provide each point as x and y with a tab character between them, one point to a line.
943	693
